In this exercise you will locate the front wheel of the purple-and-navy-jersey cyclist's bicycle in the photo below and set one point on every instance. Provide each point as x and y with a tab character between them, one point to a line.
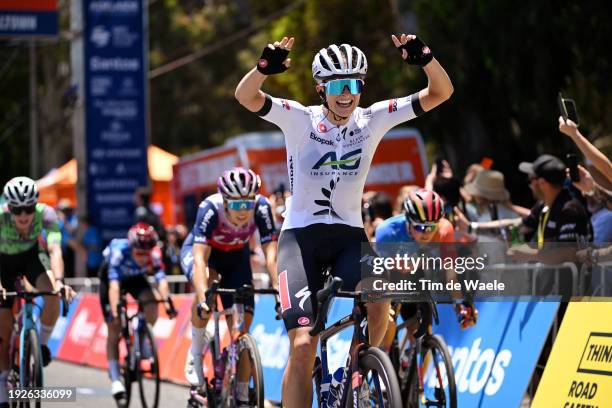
249	360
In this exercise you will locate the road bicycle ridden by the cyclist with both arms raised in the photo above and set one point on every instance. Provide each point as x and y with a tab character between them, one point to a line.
368	378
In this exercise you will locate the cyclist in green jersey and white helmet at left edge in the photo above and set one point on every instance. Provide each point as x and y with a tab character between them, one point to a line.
23	253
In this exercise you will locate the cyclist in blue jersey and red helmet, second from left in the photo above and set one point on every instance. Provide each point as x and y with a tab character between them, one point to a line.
127	262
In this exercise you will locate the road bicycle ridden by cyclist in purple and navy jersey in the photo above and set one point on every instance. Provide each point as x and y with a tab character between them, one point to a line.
241	353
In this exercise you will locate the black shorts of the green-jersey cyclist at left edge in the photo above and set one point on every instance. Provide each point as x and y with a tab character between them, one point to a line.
30	264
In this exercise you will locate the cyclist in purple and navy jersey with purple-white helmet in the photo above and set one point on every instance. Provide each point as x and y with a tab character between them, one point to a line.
219	242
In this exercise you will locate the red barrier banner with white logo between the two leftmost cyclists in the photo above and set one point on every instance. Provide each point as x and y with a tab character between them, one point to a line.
82	330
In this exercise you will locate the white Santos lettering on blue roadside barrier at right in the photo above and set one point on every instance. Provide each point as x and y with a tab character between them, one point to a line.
476	369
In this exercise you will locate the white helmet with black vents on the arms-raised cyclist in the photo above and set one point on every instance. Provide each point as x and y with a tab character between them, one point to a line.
339	61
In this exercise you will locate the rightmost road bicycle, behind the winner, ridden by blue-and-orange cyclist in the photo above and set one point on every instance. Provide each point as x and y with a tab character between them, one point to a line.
428	358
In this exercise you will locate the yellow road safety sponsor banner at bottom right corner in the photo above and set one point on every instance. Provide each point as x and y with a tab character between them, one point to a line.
579	370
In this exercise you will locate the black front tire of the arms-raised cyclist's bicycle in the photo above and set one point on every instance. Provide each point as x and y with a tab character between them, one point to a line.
373	358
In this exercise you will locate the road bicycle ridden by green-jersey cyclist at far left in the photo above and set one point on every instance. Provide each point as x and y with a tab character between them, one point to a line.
24	348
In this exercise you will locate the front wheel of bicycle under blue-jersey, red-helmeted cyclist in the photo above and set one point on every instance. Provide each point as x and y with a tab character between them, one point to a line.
147	368
